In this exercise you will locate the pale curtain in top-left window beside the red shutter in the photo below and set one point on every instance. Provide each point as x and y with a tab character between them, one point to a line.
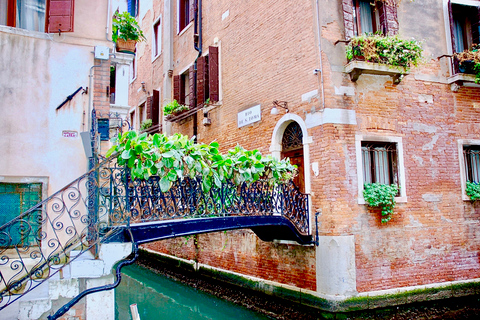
31	15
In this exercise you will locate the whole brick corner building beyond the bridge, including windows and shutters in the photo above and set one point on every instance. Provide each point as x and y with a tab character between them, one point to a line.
231	61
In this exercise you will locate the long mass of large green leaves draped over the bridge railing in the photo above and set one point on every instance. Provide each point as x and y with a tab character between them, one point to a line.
175	157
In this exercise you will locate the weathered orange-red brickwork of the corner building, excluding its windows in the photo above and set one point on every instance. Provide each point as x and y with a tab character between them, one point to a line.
269	51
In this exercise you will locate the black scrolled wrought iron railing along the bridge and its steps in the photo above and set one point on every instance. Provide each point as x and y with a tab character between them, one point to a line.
93	208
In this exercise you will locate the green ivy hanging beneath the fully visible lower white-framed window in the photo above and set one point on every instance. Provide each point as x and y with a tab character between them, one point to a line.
381	196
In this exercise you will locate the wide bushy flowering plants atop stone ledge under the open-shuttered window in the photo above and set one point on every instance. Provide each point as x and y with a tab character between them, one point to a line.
390	50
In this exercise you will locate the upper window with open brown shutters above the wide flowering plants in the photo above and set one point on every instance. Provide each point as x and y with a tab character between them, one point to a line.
369	16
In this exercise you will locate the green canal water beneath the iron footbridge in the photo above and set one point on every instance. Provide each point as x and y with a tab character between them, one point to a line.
158	297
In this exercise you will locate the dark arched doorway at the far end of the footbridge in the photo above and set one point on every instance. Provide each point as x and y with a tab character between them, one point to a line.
292	147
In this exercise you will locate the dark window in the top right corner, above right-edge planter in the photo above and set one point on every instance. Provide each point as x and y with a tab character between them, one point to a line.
464	24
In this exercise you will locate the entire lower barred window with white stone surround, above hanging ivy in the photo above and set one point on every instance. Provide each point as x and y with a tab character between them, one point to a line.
380	160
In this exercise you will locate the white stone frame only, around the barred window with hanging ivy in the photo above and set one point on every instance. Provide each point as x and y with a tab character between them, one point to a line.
400	163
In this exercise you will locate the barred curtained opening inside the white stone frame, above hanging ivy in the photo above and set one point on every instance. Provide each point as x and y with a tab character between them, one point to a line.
379	161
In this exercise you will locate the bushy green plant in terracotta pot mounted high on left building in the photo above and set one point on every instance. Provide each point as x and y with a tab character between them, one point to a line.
126	32
